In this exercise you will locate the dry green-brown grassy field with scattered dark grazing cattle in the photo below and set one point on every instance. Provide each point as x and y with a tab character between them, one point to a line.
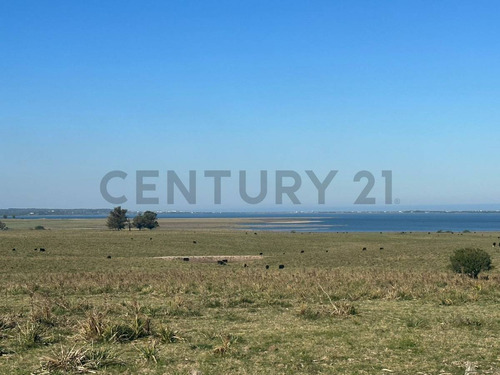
101	301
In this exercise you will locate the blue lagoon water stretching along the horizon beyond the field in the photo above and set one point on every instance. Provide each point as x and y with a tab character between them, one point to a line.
349	221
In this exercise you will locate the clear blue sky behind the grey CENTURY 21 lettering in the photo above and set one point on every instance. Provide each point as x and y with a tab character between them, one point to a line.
87	87
